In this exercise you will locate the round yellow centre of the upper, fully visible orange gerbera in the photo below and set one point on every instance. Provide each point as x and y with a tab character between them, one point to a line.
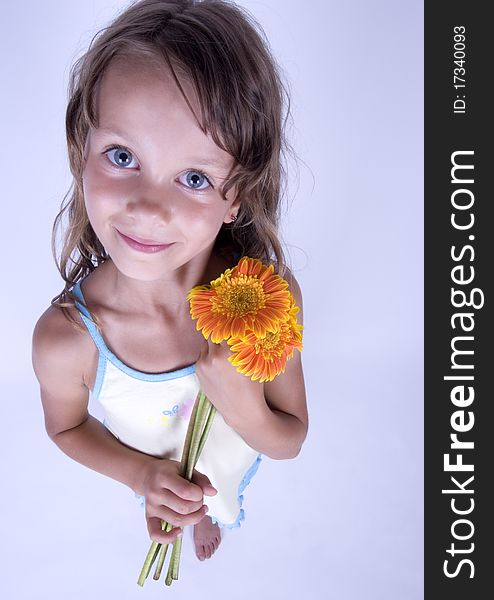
238	297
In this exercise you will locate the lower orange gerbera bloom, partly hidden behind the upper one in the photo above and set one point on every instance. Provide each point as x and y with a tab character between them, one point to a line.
264	358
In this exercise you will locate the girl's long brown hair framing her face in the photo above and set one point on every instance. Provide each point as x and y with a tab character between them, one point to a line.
245	105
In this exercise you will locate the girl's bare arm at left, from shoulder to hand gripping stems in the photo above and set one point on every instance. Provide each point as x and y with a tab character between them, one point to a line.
58	356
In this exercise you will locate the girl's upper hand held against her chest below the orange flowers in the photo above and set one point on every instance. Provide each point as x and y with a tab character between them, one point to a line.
233	394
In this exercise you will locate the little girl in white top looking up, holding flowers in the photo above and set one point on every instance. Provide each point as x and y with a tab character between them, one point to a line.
175	133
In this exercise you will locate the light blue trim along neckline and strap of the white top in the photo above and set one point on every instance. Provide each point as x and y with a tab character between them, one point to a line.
106	353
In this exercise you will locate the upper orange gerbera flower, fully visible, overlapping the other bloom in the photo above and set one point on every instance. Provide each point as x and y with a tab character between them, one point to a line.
248	297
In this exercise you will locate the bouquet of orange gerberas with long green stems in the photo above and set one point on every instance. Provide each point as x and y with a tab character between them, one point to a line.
252	309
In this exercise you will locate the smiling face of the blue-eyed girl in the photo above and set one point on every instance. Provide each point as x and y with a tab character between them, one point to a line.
151	174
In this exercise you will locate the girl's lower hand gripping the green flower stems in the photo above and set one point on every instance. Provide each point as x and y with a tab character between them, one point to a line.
170	497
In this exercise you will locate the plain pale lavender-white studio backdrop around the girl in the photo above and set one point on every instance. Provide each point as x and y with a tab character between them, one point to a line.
344	520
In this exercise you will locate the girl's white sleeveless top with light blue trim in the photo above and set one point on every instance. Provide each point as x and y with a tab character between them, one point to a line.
150	412
